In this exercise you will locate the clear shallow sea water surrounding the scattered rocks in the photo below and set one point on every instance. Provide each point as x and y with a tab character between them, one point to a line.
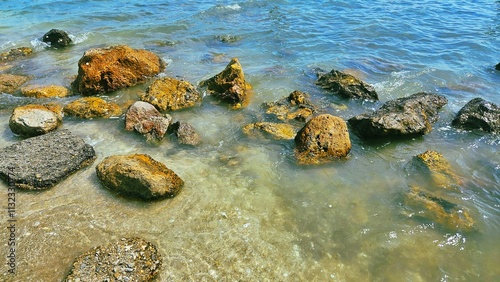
247	211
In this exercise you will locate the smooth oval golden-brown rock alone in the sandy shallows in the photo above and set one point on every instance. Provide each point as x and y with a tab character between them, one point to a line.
138	175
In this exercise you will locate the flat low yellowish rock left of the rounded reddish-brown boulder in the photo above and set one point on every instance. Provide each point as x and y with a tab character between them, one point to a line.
278	131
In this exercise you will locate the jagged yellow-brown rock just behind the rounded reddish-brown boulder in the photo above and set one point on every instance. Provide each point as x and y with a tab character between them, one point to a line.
297	106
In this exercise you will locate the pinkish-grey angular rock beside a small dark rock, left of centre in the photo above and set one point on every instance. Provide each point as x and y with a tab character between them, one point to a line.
147	120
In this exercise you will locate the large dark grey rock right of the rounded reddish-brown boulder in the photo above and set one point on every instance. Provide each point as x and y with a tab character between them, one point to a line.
412	115
